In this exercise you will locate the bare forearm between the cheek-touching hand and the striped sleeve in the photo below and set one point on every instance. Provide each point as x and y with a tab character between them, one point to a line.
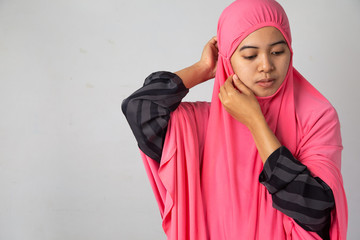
265	140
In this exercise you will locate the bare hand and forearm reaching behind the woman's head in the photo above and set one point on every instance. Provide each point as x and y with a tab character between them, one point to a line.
204	69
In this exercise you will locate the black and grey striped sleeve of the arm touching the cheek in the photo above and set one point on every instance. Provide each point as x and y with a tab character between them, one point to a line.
296	193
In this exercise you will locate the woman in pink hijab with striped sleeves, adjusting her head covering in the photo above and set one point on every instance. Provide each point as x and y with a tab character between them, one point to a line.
262	160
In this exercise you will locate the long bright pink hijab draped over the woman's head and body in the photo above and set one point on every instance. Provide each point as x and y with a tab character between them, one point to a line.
207	185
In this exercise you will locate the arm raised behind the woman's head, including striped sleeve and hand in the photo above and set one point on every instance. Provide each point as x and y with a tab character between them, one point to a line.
148	109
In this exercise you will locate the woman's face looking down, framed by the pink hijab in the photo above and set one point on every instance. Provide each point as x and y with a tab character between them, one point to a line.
261	61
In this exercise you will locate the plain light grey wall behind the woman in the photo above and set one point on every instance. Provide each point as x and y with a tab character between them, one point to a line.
69	165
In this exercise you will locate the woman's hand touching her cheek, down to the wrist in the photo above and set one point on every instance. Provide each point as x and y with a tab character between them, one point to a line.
240	102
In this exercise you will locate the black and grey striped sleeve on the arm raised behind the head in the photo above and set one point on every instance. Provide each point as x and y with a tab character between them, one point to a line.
148	110
